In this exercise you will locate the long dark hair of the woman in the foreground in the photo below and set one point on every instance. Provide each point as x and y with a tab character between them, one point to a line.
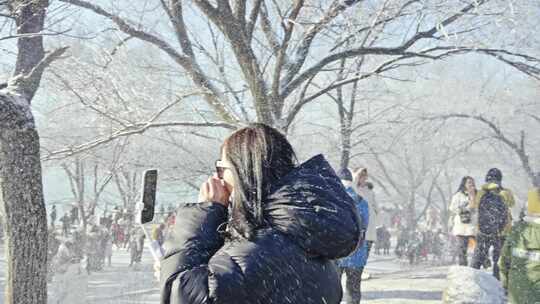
260	156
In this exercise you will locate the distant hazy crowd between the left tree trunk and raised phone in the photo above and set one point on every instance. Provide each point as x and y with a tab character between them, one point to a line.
93	247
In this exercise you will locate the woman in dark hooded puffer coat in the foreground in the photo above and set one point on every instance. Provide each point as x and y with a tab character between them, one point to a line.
275	241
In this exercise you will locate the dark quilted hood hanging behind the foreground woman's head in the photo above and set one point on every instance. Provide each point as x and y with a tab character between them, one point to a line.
311	206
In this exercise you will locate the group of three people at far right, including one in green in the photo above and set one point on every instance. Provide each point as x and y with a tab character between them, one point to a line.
483	218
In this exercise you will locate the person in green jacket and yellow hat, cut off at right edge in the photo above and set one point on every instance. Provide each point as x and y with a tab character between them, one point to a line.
520	259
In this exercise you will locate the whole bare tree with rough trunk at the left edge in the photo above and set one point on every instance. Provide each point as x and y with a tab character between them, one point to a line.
21	193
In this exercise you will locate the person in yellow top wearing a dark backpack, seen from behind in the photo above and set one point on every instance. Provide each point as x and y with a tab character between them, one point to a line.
493	204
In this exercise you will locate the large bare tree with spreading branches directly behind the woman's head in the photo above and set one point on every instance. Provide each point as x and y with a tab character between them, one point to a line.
271	43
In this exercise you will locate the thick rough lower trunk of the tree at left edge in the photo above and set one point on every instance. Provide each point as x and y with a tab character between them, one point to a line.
21	198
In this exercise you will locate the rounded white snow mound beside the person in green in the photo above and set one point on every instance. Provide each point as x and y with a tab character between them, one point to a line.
470	286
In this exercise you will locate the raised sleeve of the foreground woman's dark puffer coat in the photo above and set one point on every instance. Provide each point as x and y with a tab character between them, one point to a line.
193	241
